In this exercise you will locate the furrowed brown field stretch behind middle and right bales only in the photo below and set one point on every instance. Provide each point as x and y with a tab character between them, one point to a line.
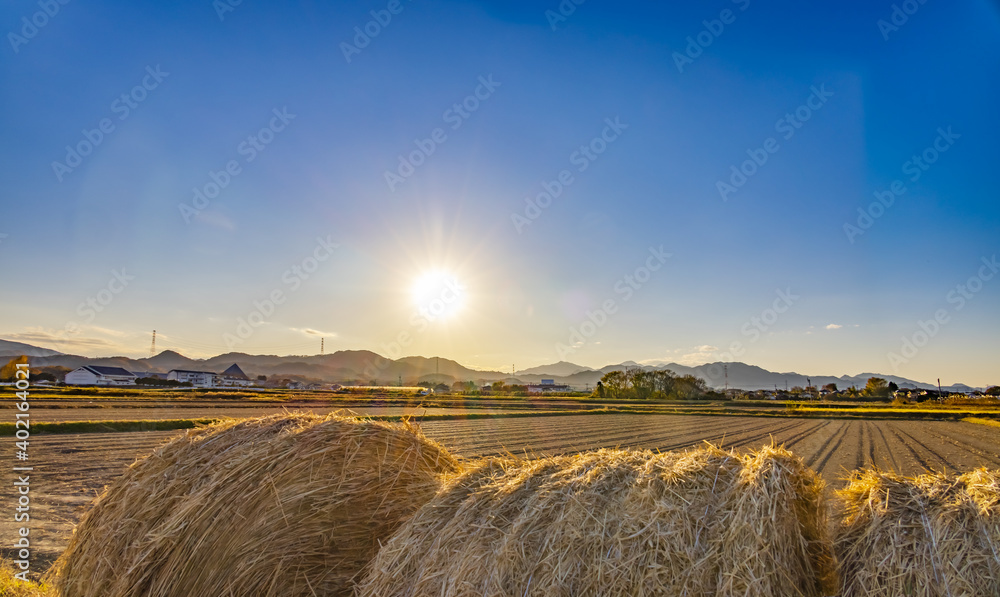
830	446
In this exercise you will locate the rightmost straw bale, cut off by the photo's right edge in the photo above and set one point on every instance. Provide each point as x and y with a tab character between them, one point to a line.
930	536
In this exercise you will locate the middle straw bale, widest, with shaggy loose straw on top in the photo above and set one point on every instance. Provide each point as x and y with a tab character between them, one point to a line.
616	522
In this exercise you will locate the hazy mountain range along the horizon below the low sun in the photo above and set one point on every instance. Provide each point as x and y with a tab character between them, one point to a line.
362	366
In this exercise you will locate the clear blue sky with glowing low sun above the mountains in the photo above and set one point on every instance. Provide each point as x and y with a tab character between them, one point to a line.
258	176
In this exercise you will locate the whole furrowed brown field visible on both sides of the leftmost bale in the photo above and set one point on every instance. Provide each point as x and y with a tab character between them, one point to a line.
71	469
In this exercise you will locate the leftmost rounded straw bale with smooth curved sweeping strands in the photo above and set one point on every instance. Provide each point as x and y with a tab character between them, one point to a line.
284	505
